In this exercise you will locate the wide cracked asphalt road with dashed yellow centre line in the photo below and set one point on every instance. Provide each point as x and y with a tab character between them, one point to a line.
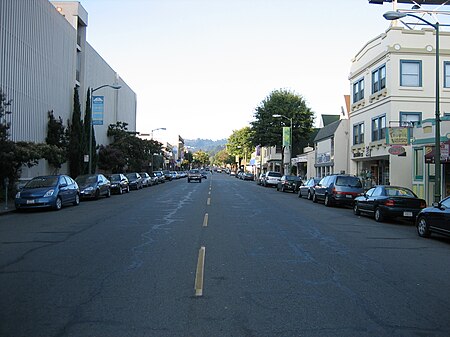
224	257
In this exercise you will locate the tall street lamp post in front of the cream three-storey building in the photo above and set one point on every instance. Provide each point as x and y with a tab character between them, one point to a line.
395	15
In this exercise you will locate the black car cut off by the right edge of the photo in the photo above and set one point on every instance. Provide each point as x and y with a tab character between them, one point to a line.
435	219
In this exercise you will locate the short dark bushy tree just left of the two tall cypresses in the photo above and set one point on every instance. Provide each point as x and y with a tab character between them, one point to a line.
56	150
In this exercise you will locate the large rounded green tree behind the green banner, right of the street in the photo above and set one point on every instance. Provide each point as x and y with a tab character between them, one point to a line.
267	130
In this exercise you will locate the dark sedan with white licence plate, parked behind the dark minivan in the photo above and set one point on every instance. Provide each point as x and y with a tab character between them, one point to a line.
385	201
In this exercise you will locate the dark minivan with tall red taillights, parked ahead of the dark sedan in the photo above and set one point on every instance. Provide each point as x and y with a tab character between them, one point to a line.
338	189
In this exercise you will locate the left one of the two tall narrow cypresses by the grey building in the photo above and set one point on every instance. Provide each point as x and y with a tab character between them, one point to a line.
75	151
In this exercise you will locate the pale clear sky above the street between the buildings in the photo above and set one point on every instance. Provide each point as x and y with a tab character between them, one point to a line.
200	67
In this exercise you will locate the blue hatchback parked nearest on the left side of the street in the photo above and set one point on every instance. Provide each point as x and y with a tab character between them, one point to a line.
48	191
